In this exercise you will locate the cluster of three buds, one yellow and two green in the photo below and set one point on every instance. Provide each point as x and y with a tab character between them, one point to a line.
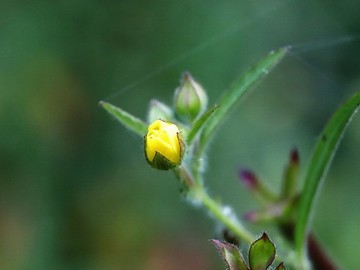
163	143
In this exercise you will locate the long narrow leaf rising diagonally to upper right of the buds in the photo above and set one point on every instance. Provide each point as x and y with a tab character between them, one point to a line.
238	89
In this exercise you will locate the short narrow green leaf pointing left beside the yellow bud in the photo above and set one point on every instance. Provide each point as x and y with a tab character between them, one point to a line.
129	121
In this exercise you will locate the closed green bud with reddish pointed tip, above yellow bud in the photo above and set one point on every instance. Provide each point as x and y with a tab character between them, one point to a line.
190	98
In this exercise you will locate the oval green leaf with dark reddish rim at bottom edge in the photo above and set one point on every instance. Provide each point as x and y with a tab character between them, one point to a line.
262	253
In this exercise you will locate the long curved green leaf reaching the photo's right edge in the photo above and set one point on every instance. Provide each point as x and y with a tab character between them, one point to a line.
322	156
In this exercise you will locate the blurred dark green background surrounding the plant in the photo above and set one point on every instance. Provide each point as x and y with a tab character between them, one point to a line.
75	190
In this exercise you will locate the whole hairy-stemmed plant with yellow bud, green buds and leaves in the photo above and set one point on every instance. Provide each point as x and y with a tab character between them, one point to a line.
164	150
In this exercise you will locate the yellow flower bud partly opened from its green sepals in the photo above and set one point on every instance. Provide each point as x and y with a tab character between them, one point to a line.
163	145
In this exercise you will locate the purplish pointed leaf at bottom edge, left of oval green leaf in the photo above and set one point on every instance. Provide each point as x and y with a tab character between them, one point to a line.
231	255
